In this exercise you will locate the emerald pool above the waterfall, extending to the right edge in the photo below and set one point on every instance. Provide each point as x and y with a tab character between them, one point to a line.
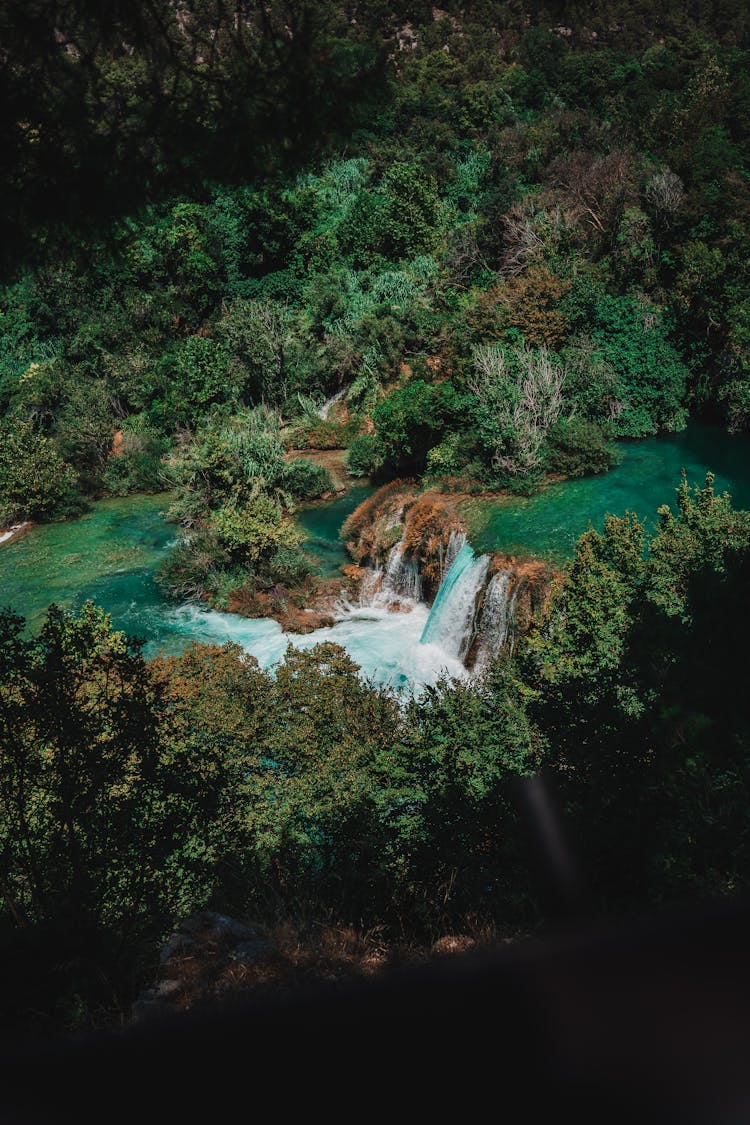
549	525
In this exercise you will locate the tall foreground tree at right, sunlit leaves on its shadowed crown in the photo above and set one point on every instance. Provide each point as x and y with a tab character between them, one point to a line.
639	698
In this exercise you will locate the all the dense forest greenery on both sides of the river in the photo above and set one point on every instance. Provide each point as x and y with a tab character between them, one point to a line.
505	239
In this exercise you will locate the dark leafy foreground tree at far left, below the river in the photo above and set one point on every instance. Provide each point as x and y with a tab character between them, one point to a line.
82	834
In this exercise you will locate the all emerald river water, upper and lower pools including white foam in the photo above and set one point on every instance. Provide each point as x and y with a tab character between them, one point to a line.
111	554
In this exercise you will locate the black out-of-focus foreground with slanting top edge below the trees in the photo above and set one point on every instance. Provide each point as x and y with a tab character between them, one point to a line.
647	1021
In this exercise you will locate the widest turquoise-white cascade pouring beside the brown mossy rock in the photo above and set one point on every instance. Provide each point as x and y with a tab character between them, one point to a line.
450	625
